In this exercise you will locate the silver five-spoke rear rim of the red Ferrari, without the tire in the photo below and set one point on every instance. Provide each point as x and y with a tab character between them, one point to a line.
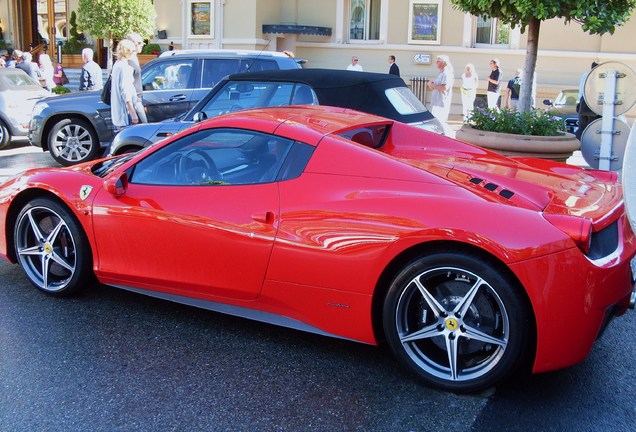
452	324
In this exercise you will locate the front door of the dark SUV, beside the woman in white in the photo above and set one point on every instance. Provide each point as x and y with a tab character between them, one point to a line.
168	86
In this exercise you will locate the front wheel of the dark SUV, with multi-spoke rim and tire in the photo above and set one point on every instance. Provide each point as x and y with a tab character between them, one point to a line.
73	141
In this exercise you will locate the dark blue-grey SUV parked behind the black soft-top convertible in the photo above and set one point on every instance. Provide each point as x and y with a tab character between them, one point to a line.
76	127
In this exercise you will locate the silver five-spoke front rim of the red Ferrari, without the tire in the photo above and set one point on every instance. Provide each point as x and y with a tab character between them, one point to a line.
46	249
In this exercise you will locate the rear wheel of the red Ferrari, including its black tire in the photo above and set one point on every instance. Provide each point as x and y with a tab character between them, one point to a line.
454	309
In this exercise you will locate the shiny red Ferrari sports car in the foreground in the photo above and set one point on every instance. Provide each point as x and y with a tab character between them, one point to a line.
469	264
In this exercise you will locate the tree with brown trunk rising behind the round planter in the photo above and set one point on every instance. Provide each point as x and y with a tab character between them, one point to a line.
595	16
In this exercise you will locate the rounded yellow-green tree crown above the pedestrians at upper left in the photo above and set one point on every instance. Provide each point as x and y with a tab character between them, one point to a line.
108	19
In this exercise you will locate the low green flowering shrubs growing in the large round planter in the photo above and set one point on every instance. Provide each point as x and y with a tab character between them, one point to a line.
535	122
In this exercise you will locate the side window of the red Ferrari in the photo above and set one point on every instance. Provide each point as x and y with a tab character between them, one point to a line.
215	157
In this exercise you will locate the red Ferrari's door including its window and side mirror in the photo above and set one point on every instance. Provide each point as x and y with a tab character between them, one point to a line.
198	217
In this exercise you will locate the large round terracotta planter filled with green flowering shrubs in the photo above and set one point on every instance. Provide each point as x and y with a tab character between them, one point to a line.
534	133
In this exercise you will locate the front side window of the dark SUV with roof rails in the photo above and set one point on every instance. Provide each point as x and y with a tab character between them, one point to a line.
168	75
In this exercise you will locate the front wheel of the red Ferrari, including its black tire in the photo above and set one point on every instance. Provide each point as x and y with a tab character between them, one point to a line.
52	248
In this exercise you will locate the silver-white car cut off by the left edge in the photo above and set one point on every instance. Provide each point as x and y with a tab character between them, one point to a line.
18	94
